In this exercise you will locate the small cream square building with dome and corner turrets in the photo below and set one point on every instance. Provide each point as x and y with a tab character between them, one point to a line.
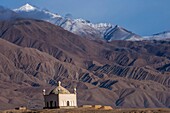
60	97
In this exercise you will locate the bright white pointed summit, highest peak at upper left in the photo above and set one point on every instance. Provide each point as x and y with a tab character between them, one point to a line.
27	7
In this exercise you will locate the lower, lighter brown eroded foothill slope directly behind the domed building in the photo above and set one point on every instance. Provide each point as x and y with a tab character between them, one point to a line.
25	72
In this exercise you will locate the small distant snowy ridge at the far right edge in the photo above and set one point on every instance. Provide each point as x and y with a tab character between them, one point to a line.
159	36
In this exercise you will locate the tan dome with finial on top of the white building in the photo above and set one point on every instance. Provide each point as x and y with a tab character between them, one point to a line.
59	90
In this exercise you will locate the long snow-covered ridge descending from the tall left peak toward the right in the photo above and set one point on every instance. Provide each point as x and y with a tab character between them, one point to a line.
80	27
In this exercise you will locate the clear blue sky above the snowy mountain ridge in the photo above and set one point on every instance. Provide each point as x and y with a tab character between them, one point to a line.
144	17
